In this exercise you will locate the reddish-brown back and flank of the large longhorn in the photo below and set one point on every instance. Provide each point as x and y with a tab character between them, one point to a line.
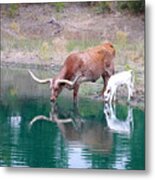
90	63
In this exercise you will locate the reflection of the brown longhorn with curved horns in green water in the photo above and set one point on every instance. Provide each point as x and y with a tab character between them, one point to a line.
80	131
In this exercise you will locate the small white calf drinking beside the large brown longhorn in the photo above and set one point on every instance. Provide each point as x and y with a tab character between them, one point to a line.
119	79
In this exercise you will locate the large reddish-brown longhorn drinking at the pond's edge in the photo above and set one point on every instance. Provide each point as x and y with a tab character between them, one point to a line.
82	67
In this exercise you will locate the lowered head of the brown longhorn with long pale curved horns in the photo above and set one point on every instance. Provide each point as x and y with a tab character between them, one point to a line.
56	85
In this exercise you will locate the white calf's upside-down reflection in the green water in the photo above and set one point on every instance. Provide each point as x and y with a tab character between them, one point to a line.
118	125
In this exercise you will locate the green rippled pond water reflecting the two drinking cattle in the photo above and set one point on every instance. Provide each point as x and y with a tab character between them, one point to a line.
33	133
